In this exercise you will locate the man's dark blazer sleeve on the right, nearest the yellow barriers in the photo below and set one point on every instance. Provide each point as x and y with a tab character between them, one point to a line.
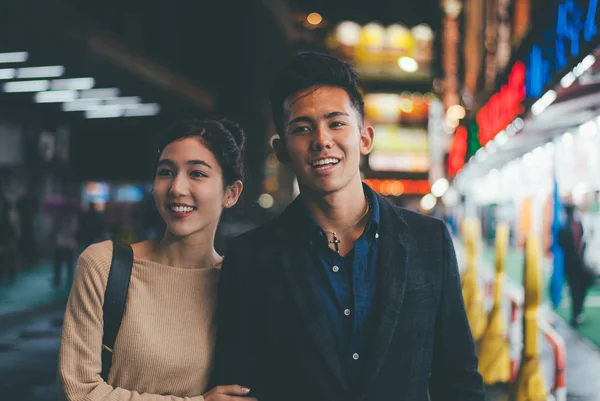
454	375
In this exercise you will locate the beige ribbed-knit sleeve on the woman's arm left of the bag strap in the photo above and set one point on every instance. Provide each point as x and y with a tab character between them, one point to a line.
79	362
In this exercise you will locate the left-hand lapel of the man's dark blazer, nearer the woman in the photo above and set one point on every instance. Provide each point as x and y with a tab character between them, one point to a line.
296	263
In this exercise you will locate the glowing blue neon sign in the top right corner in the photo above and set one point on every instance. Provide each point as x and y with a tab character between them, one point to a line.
575	20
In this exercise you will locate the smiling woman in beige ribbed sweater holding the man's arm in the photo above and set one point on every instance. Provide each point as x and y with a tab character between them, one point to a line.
164	348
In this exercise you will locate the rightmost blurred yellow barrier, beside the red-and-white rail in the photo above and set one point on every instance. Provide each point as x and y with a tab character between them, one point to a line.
530	382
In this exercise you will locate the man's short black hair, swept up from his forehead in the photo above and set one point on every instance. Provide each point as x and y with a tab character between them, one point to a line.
313	69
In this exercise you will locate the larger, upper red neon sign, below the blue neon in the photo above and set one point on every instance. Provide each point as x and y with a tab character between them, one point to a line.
503	107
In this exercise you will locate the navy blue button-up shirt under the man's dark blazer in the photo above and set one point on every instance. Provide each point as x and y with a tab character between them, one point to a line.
346	287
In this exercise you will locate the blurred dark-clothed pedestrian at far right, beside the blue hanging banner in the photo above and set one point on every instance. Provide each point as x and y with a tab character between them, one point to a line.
578	278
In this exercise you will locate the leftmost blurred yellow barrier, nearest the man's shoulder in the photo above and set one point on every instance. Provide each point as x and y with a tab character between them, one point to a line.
472	293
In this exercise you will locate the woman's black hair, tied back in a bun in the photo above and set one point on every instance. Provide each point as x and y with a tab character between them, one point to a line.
223	137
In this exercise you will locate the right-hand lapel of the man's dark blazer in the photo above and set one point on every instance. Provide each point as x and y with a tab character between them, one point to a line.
391	284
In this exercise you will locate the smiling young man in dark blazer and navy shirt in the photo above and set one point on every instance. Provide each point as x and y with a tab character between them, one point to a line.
344	296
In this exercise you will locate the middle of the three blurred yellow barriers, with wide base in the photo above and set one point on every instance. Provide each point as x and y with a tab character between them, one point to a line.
494	347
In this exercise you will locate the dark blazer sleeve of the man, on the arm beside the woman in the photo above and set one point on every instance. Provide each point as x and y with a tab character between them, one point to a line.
233	358
